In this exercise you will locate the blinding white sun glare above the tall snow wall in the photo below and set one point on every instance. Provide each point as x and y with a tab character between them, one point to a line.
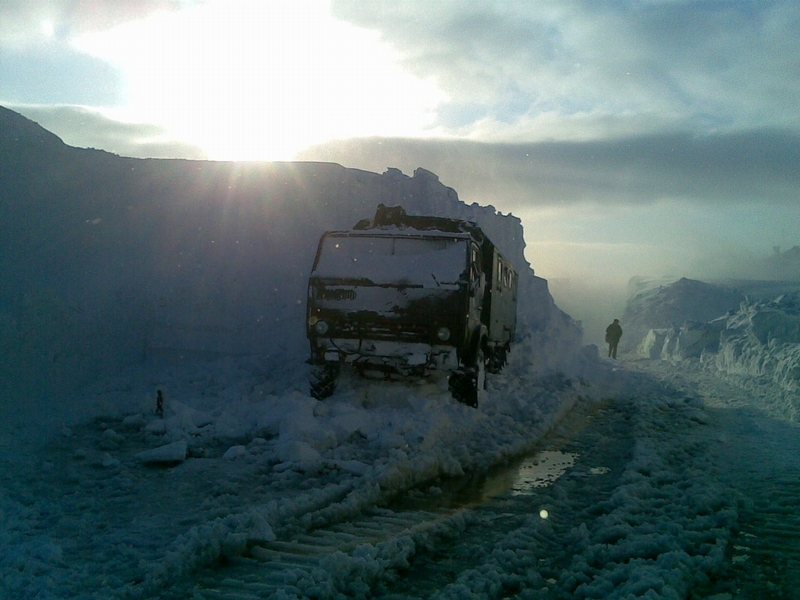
252	80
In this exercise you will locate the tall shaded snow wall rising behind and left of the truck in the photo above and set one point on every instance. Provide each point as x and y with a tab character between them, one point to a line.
108	261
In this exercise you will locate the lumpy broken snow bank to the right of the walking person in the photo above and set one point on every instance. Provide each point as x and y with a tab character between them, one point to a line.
735	332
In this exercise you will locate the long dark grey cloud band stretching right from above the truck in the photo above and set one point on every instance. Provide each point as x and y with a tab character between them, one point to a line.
724	168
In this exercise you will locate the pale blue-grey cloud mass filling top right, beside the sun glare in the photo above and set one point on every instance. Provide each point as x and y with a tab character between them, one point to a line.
708	66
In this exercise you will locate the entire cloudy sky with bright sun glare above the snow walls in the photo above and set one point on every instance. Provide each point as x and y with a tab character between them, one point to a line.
634	137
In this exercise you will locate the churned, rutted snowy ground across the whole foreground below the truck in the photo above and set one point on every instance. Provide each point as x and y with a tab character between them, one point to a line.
257	490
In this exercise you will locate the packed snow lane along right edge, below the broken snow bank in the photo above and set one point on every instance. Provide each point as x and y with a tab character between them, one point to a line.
759	462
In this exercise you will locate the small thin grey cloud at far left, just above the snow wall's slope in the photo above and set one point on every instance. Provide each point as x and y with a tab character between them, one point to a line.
85	128
